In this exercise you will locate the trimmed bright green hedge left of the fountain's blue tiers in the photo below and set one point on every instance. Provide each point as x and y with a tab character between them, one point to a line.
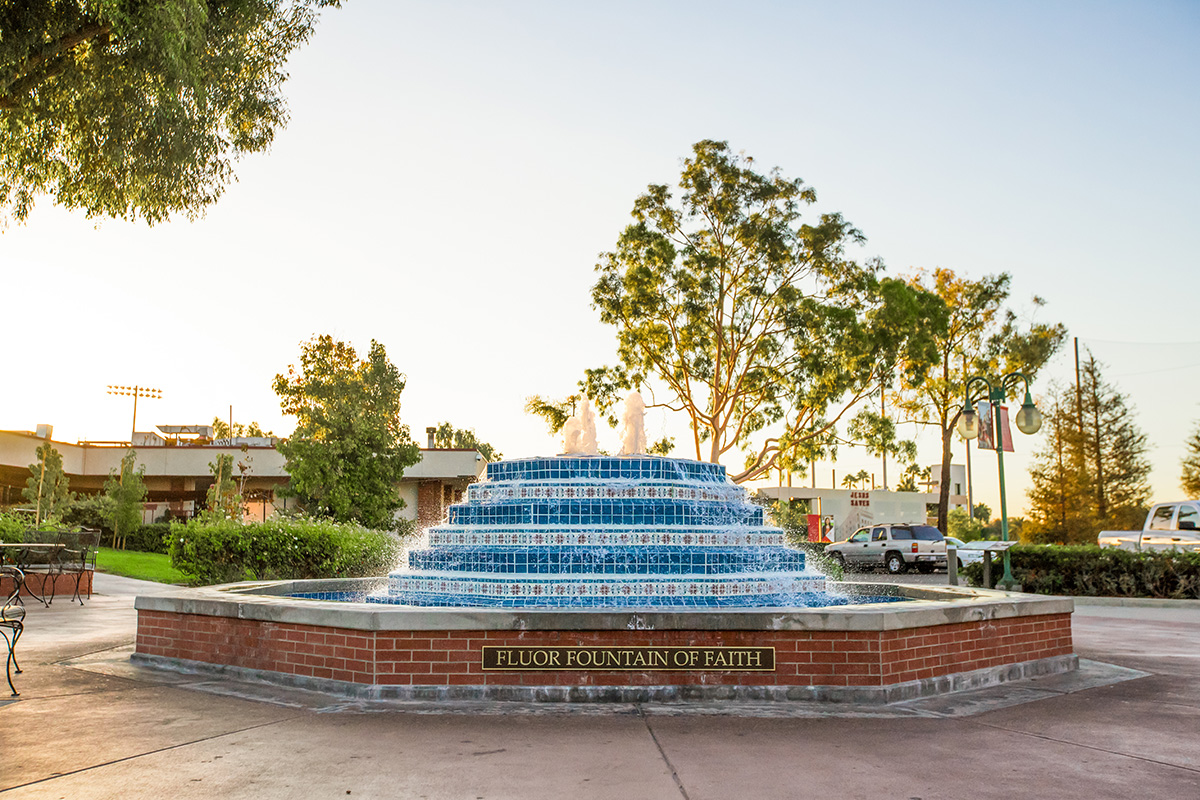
280	549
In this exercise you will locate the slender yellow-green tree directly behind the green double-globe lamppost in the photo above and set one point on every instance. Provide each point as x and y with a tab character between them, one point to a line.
981	338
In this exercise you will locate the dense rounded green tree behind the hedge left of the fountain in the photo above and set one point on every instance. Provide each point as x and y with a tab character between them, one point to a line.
350	449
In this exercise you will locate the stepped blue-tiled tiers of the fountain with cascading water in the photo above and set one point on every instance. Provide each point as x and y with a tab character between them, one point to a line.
598	532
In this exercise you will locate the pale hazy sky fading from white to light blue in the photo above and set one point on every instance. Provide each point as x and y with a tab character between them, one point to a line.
451	173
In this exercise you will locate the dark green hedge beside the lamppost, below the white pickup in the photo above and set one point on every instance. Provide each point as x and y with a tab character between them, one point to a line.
1091	572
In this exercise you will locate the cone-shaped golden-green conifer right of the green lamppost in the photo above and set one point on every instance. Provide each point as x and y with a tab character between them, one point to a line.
1093	472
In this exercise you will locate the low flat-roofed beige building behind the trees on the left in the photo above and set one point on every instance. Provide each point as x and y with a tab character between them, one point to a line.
178	472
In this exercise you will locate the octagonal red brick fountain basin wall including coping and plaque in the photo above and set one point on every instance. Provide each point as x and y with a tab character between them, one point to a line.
937	641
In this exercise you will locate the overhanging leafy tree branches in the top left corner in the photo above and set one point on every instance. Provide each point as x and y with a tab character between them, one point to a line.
140	110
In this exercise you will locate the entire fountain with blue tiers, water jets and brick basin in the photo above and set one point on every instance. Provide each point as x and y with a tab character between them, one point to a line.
589	578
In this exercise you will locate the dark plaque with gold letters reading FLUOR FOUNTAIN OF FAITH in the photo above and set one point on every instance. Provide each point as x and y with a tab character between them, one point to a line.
638	659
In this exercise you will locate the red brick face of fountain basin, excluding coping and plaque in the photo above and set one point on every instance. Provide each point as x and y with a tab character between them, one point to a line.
453	658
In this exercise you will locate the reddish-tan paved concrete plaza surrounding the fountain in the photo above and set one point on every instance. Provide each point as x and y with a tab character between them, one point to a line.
91	725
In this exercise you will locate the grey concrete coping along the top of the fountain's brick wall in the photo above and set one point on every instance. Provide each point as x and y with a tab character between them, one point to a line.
926	607
